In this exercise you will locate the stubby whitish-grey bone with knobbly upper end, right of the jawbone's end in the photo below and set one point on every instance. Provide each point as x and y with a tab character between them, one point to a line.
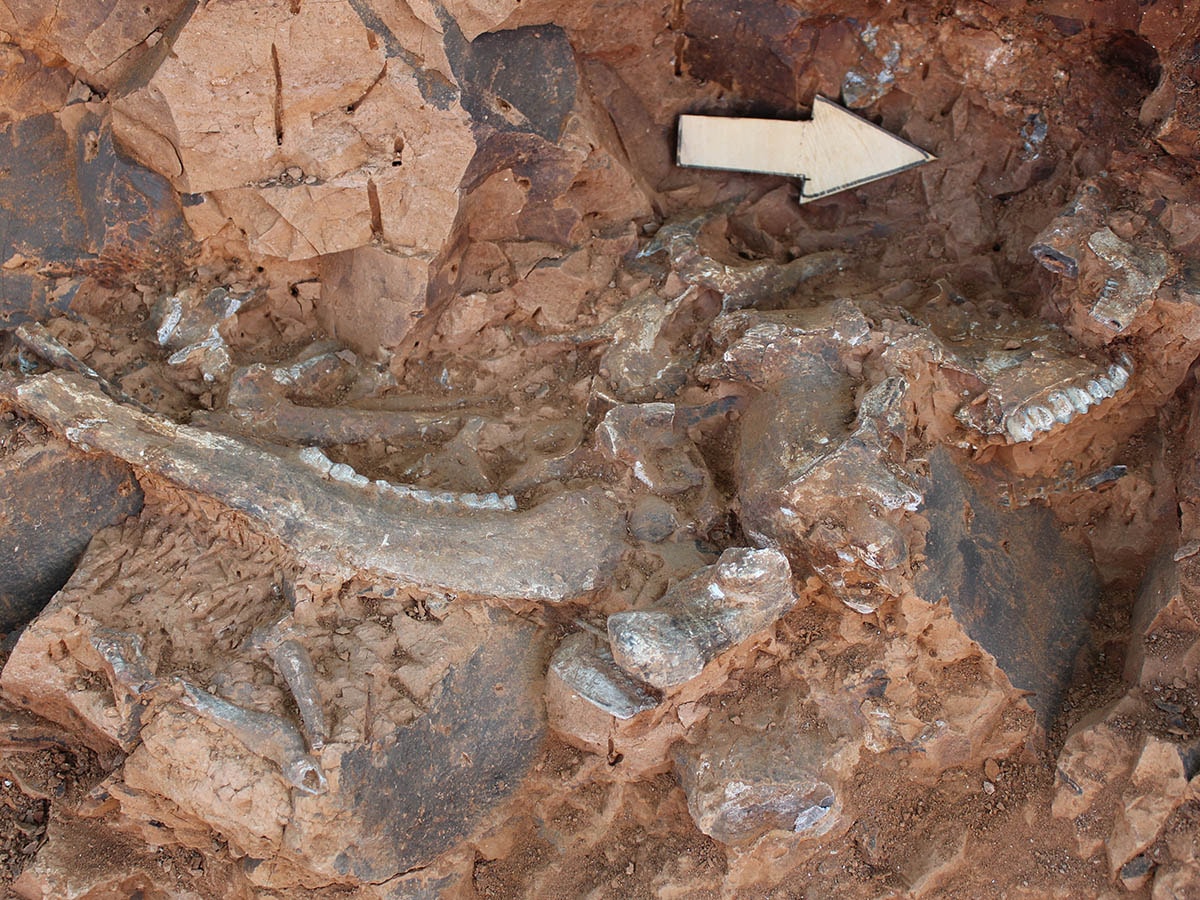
705	615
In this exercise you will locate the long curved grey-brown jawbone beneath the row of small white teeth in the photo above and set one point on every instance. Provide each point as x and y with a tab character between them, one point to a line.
562	549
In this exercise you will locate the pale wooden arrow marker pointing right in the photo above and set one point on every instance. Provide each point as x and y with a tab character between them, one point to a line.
832	153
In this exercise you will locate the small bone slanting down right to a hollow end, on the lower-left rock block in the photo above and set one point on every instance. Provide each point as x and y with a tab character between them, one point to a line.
265	735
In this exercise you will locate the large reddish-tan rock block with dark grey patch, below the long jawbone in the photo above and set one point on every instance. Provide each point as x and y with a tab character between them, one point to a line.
399	778
